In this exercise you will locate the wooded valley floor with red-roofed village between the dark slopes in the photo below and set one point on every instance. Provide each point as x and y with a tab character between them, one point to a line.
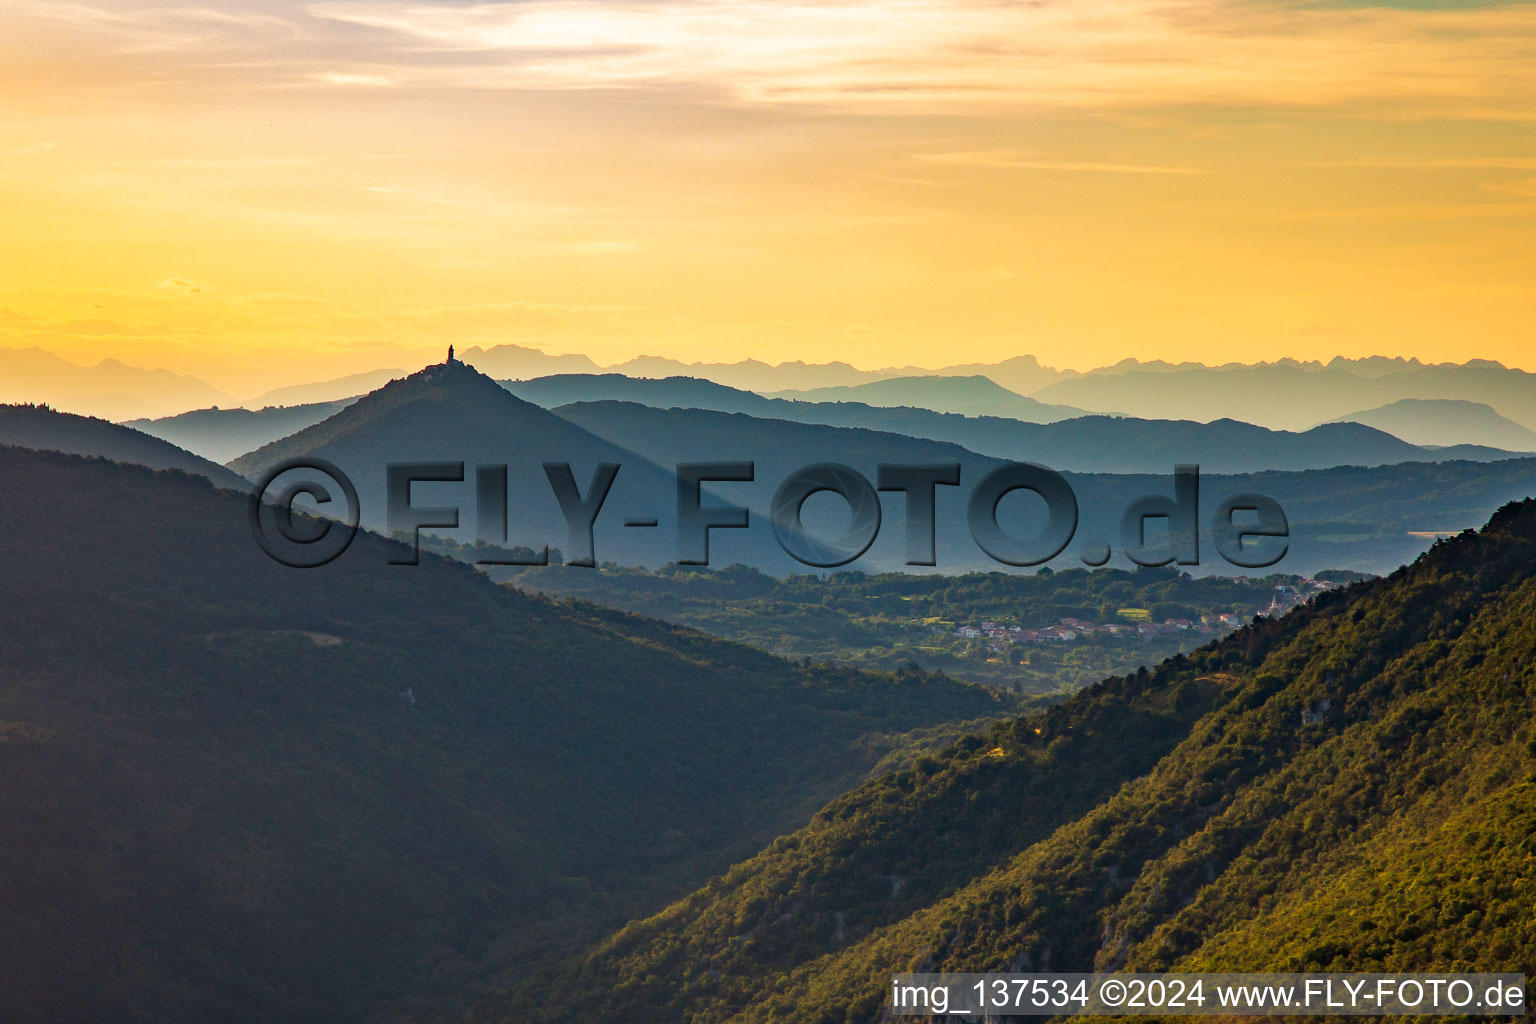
1030	633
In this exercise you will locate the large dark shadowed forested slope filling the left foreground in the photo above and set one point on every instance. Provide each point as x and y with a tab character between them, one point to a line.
240	791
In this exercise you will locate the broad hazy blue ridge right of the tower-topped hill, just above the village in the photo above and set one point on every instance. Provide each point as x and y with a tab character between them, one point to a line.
1369	520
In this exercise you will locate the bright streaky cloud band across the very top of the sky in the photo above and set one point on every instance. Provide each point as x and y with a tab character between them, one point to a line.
927	56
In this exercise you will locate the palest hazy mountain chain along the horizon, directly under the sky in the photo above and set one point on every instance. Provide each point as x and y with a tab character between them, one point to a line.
1282	395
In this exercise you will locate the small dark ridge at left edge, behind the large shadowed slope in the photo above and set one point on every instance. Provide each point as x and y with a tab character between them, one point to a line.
50	431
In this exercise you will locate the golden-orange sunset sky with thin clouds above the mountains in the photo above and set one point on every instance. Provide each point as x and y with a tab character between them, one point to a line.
273	193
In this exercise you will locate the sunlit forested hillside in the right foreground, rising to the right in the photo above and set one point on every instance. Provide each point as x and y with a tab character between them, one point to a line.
1346	788
